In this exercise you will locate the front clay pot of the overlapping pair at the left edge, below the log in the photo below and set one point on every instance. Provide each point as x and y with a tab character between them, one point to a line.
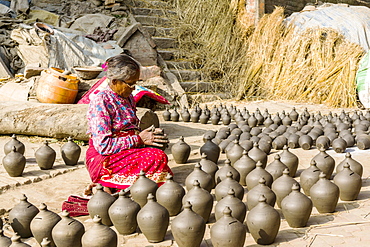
14	163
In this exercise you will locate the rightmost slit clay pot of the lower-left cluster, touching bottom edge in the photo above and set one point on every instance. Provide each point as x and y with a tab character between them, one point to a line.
68	231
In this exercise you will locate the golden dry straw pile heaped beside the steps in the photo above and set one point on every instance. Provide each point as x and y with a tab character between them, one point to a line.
270	60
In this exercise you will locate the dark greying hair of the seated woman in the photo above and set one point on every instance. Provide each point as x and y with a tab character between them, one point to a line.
122	67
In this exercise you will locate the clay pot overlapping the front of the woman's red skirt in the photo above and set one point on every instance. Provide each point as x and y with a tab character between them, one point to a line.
141	189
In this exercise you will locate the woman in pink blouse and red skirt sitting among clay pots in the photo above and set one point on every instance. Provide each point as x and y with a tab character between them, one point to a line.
117	151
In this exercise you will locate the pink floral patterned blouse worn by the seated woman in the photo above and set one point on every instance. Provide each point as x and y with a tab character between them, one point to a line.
108	116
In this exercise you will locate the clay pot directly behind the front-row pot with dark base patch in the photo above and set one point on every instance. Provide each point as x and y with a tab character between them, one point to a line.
254	194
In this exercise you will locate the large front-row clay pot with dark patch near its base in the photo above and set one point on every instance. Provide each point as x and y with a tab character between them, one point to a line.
263	222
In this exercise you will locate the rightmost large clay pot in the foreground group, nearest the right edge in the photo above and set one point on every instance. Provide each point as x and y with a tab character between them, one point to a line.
349	183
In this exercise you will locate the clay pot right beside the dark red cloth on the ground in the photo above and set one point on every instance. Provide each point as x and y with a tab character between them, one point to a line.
99	205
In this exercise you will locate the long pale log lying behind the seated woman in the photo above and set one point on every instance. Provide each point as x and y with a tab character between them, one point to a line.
54	120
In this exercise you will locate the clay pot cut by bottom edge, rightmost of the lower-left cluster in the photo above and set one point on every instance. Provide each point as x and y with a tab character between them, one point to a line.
99	235
